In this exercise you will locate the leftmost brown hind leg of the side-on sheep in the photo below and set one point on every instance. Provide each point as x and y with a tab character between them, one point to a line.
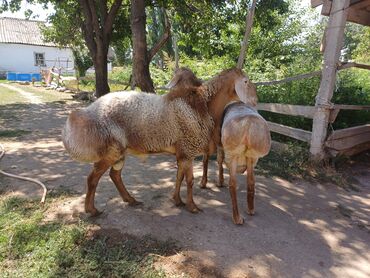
92	182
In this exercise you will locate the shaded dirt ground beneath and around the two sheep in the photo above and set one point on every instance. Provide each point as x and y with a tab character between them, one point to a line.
299	230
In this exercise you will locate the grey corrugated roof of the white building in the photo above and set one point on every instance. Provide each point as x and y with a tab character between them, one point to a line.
22	31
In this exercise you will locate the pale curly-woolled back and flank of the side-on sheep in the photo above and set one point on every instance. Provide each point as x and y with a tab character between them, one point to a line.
148	123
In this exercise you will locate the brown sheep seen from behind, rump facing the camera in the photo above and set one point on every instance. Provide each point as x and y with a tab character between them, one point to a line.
245	138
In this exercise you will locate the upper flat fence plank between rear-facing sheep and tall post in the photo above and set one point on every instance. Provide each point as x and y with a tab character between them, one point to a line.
288	109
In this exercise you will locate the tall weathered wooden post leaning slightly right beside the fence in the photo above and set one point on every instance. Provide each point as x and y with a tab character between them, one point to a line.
333	43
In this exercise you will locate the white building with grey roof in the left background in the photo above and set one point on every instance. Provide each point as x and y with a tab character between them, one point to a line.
23	50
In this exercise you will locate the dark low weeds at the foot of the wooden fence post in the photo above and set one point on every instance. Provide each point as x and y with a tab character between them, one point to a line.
294	162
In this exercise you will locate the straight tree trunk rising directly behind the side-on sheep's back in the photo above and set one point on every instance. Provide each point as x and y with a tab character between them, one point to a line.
140	59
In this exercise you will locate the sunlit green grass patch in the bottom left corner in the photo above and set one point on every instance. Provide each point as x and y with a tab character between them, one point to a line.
30	247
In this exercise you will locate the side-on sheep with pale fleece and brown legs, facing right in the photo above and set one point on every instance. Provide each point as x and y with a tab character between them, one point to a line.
182	123
